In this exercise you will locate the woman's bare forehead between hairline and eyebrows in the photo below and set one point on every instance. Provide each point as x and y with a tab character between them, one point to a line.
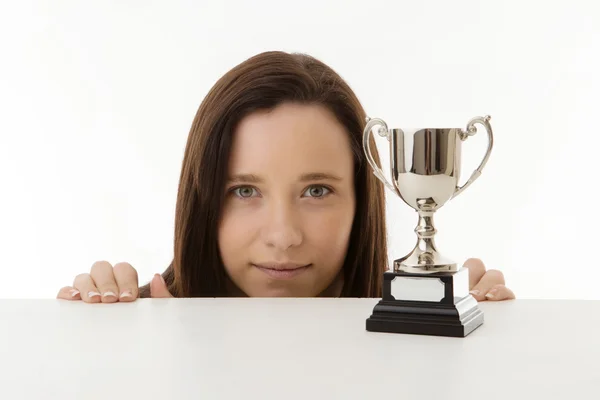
298	137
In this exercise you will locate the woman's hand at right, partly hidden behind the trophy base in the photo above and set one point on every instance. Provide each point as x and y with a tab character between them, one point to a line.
486	285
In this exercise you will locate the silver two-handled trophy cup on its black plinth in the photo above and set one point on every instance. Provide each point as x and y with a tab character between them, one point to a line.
426	293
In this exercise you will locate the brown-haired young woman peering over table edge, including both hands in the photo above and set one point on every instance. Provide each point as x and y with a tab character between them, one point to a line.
275	198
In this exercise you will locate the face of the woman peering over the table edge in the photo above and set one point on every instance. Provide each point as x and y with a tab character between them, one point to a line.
289	203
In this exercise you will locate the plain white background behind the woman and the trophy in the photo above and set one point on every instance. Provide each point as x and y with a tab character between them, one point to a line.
96	100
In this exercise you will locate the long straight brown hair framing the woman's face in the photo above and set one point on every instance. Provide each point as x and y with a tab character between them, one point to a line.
261	83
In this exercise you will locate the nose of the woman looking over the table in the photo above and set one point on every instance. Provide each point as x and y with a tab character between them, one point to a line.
281	229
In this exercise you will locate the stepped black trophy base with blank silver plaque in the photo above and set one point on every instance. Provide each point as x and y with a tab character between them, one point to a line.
436	304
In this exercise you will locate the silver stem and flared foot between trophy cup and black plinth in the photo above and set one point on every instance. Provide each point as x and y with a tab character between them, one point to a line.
425	258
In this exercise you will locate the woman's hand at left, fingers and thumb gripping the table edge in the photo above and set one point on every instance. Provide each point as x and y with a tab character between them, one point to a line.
108	284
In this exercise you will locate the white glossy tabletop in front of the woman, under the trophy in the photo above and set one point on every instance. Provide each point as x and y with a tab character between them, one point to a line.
291	349
